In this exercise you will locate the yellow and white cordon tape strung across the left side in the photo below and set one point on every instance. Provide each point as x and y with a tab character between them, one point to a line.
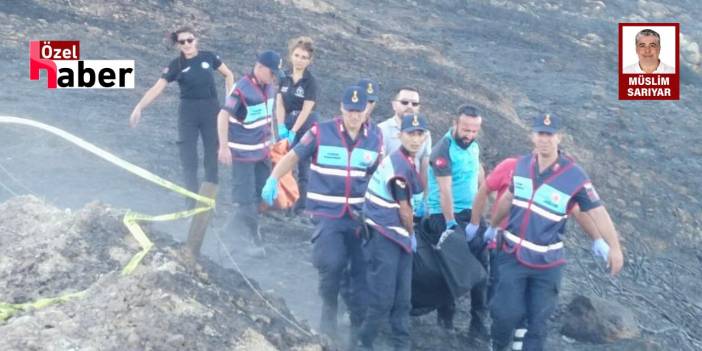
130	219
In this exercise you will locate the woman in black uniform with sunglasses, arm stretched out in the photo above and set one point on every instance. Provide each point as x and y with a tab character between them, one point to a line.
197	113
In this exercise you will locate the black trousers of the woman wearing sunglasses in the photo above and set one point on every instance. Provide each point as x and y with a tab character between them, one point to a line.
197	118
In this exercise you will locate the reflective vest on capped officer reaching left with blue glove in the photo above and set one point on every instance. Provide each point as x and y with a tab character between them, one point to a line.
339	177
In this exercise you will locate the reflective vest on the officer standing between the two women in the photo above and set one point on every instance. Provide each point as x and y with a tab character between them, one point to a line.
250	137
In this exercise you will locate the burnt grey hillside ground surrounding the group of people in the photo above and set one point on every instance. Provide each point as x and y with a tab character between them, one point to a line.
514	60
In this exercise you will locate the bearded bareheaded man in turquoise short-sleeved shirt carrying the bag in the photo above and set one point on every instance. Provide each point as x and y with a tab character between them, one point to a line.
454	177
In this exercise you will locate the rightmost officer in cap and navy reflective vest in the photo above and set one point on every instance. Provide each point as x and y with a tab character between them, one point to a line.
546	185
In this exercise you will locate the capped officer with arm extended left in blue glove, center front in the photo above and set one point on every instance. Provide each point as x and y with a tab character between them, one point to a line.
344	153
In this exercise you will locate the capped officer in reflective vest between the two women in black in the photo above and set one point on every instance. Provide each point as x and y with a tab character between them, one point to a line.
244	129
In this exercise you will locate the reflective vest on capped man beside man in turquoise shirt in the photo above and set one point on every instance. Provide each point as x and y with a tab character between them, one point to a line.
380	208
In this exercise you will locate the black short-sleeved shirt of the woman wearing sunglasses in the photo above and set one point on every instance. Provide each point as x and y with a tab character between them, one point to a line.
194	75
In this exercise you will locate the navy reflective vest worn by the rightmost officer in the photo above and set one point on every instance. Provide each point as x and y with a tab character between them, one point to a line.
538	214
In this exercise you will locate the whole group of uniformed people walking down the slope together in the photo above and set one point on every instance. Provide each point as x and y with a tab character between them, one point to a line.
370	187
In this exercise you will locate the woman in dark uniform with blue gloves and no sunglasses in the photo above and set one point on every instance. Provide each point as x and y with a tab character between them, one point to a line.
295	103
